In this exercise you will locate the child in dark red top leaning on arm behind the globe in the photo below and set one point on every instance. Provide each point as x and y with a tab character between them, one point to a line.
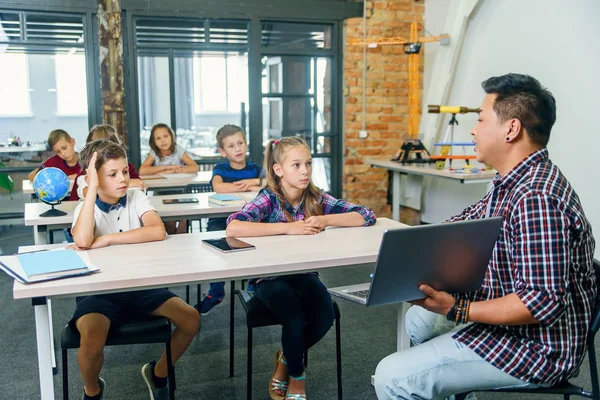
65	157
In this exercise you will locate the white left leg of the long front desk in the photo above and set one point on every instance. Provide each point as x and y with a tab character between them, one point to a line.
44	348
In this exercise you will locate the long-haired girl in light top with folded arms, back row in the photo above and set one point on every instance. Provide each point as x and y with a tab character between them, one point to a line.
166	156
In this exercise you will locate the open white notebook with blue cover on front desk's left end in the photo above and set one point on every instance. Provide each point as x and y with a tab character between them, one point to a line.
46	265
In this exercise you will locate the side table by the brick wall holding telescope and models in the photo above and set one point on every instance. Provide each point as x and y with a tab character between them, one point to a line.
397	169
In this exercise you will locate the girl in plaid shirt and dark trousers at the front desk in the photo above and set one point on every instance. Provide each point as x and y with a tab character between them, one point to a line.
300	302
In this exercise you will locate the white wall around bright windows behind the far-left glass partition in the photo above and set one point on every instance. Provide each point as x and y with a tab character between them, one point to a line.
43	108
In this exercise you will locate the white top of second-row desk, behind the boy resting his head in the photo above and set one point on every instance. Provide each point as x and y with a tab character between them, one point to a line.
202	208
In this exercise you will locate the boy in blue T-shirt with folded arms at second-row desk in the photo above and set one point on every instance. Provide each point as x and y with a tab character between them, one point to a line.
236	175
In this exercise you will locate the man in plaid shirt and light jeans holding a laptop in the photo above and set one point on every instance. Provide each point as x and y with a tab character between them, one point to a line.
528	324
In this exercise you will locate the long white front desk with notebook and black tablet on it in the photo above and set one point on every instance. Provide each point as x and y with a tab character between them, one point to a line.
176	261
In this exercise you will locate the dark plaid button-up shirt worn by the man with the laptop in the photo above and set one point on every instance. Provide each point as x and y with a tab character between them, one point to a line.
544	255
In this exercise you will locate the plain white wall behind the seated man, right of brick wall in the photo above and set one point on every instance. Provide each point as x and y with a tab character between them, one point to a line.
555	41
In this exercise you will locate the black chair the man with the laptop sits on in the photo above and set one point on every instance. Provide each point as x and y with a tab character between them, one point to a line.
568	389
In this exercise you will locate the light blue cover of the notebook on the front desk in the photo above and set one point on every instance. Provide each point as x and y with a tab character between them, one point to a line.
48	262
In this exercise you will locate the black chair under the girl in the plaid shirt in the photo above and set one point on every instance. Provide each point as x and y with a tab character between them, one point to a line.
257	316
